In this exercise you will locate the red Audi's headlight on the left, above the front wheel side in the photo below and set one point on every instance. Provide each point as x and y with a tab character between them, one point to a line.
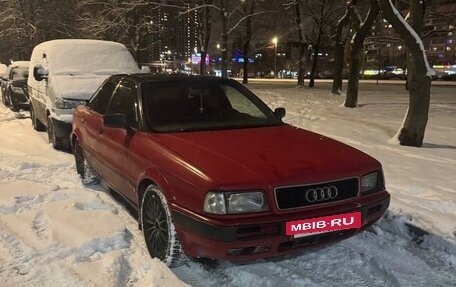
219	202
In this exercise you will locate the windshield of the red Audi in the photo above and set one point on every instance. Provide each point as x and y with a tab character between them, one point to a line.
202	104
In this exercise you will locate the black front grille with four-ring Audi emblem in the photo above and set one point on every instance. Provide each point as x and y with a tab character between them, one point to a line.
305	195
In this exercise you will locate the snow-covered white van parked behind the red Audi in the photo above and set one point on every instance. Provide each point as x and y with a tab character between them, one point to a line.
65	73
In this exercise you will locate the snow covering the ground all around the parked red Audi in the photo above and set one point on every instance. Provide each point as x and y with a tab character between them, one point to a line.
56	232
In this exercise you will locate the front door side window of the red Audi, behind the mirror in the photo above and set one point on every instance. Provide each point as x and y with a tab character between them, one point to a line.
124	102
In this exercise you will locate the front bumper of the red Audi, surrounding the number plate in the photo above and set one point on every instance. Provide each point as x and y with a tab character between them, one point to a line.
200	238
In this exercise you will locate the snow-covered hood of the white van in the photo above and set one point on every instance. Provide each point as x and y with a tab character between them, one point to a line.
78	87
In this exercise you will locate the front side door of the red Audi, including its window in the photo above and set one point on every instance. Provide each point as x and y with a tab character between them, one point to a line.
114	143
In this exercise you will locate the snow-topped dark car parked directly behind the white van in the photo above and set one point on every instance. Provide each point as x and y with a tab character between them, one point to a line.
14	86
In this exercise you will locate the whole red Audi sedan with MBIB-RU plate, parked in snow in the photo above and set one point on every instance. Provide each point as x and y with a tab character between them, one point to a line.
212	170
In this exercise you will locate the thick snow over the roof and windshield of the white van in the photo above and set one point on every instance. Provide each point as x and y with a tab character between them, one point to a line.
78	56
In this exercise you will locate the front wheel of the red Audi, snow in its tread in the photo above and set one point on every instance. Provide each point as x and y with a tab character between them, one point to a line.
158	228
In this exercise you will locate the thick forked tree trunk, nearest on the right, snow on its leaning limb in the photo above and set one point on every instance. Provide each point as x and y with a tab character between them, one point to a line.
411	133
